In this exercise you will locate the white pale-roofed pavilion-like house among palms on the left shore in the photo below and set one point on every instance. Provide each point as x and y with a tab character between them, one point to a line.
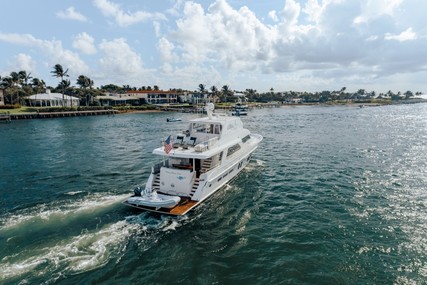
49	99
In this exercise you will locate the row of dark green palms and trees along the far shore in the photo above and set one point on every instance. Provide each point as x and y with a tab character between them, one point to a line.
21	84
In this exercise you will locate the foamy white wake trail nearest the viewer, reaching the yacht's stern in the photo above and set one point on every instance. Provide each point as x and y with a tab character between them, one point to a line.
89	250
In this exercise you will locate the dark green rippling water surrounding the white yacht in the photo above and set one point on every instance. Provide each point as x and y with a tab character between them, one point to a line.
333	195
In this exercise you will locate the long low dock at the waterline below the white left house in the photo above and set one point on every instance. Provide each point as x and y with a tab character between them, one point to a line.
48	115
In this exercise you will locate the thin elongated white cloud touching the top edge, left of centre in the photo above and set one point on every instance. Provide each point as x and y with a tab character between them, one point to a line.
122	18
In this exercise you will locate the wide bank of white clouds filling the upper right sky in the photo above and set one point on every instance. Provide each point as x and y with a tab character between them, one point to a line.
317	39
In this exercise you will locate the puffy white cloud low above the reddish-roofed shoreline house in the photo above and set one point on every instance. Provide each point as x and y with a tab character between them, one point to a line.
119	60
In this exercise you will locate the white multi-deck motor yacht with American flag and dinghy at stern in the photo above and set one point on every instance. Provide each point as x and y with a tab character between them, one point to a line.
196	163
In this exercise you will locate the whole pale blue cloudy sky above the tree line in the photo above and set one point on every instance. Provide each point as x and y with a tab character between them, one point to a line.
298	45
